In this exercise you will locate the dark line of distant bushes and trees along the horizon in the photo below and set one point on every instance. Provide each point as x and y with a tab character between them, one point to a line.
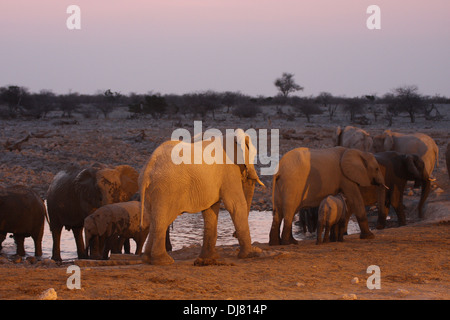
18	102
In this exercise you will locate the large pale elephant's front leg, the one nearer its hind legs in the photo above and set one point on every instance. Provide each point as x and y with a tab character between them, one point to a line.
210	217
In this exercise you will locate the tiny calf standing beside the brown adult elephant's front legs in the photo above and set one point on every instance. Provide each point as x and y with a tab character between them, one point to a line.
332	213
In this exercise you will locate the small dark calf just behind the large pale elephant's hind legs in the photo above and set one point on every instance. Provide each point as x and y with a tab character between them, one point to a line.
109	226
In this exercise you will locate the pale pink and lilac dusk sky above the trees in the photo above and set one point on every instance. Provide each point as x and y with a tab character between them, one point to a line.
180	46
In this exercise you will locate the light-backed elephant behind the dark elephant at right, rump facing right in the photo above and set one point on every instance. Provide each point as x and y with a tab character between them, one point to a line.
417	143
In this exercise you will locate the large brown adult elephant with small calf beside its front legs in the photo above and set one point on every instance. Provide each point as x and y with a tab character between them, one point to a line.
306	176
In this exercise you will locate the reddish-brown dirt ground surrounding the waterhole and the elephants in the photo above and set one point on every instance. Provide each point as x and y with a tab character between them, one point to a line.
414	260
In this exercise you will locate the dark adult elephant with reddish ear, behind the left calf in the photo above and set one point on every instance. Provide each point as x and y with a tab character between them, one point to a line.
75	193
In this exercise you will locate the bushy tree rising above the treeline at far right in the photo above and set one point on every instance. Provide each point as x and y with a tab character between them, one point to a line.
407	99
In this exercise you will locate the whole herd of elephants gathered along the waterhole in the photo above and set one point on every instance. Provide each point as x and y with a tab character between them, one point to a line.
342	180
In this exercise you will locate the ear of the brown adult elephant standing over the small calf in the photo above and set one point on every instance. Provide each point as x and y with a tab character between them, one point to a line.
354	167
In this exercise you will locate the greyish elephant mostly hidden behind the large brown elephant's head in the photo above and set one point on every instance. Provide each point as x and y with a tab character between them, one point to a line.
352	137
